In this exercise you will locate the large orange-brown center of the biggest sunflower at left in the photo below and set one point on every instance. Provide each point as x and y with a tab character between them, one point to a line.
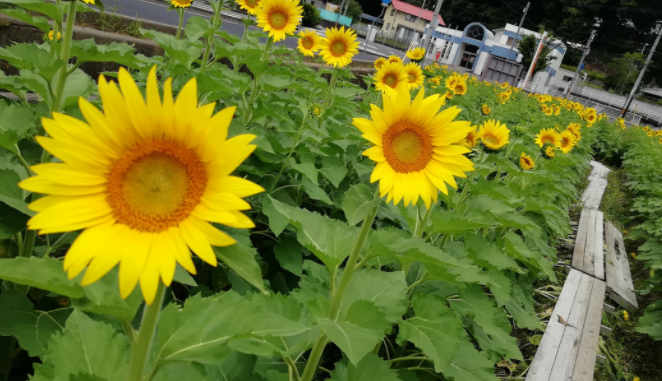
156	185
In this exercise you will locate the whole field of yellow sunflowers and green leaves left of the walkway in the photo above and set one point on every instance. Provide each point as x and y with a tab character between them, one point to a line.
229	211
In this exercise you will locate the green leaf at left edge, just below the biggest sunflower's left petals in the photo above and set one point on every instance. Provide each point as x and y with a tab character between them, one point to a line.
44	273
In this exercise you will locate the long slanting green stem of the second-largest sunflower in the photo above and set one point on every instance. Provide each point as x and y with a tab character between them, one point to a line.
337	298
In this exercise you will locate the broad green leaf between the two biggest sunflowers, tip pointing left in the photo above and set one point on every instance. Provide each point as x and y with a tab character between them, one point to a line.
329	240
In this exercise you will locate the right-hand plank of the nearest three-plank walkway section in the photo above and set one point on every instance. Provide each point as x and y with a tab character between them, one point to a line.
588	346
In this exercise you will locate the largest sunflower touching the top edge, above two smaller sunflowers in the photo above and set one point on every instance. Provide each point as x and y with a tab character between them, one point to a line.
279	17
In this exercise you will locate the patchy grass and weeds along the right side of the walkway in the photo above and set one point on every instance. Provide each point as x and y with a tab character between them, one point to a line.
629	353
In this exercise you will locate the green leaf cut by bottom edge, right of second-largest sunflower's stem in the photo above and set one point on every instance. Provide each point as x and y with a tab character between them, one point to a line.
371	368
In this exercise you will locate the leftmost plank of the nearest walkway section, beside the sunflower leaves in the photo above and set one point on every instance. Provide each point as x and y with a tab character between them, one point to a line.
543	361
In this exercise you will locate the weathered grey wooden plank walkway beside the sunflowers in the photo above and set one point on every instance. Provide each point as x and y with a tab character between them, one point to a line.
569	348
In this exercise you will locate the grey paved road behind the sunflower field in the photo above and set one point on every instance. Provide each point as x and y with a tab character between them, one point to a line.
157	12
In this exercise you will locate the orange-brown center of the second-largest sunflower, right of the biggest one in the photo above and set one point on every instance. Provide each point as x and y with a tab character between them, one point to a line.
407	147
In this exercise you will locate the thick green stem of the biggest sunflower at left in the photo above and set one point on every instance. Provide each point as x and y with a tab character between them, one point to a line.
140	348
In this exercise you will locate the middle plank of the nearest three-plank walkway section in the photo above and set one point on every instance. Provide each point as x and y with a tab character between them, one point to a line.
564	363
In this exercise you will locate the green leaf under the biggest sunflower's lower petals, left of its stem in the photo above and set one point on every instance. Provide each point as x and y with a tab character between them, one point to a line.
103	297
